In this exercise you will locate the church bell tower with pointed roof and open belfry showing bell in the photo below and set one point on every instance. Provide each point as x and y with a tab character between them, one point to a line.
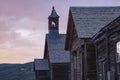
53	22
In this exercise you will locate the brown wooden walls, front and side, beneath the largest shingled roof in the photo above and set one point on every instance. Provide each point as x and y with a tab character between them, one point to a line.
84	50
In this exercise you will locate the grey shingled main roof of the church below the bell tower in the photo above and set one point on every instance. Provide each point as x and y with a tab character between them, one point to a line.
57	54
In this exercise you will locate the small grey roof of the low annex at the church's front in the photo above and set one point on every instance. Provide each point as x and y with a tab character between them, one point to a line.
41	64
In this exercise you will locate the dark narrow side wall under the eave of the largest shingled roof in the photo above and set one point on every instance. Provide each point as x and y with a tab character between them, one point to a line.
90	61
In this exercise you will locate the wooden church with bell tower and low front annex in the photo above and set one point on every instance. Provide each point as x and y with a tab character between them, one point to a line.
56	62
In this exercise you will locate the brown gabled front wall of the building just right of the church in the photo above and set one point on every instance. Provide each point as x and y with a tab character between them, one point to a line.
75	50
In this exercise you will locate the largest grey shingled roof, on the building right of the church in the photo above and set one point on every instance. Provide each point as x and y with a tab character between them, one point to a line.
89	20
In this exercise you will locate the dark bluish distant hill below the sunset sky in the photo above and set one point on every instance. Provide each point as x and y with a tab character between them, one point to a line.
17	71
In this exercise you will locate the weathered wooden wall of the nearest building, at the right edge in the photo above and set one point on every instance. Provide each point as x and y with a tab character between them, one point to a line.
106	50
